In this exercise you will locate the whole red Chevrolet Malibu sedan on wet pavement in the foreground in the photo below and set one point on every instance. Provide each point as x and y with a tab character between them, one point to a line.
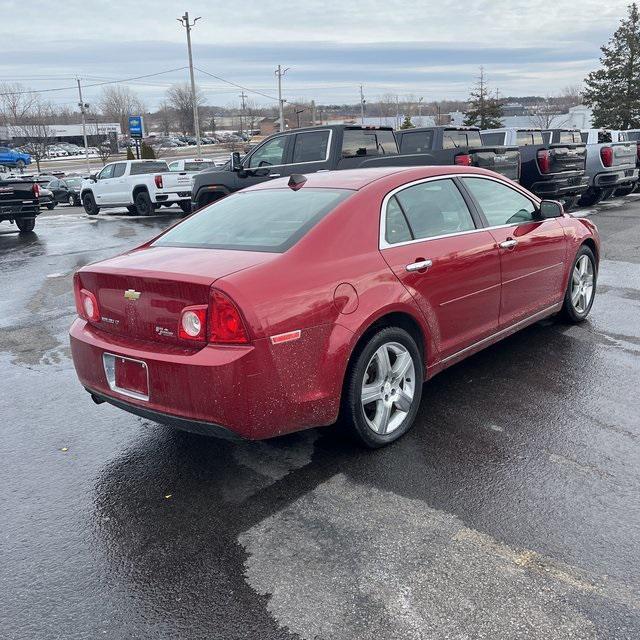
284	305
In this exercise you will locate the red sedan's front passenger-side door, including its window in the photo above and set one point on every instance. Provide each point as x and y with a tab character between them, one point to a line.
532	250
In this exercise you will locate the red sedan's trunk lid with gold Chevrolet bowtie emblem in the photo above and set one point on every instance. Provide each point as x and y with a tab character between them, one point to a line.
141	294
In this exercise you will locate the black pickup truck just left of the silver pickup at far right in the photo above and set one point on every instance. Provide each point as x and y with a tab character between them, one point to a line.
548	169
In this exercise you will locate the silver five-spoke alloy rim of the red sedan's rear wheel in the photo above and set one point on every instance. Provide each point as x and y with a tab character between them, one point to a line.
388	388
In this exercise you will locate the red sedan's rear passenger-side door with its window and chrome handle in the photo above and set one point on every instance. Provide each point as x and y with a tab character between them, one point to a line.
436	247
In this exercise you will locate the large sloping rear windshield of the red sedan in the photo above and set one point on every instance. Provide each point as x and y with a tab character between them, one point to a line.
267	220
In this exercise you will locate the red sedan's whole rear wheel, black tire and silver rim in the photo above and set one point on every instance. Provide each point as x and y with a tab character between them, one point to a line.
383	387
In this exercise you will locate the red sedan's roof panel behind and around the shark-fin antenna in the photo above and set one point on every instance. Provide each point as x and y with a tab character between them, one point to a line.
358	178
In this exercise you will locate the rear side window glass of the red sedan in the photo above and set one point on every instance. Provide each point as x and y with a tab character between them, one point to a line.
427	210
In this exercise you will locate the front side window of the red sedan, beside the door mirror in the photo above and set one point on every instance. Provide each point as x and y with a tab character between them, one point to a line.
500	204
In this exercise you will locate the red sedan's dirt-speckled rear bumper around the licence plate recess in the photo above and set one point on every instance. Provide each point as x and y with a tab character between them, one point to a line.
252	391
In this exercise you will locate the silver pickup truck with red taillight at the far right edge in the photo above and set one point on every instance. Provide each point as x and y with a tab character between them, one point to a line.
610	165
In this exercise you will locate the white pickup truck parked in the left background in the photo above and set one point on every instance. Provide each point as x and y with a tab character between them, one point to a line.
142	186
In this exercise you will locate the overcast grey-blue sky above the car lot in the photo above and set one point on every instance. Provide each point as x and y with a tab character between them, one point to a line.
430	49
